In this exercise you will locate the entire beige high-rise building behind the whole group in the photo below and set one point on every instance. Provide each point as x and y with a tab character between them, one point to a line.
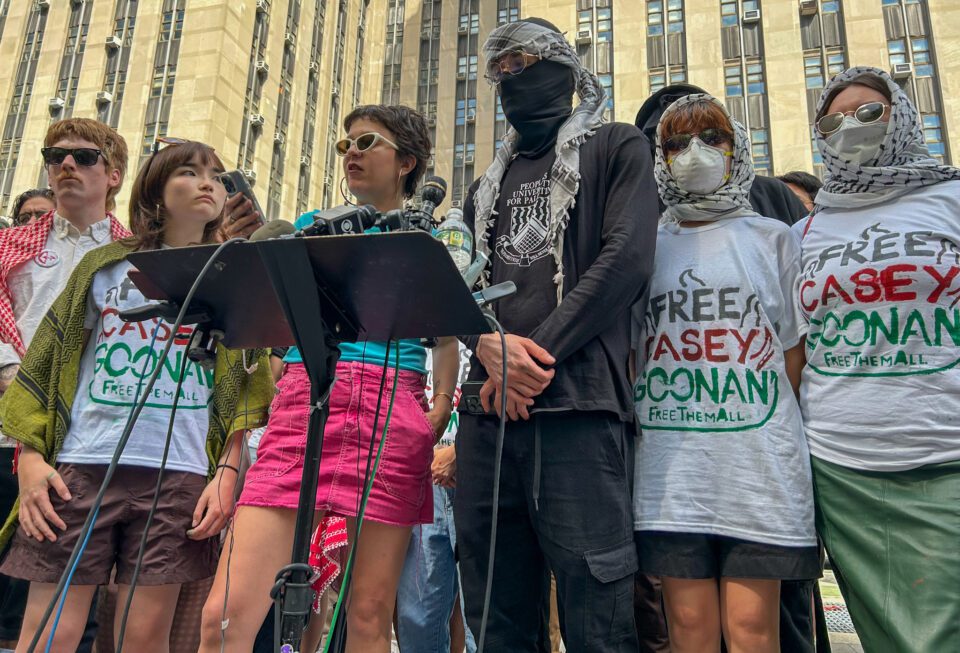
268	82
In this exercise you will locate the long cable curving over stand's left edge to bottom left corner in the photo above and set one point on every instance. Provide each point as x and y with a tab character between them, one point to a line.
124	437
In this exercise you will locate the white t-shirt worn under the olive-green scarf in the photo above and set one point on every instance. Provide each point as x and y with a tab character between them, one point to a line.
117	356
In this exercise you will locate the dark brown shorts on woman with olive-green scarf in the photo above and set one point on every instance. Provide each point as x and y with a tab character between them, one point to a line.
170	557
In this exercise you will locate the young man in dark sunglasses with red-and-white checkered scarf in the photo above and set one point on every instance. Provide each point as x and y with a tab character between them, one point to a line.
85	161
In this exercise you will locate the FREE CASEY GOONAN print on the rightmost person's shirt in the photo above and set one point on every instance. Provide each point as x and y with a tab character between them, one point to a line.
885	304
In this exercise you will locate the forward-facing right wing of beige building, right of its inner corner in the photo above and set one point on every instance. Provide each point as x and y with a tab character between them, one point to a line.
767	59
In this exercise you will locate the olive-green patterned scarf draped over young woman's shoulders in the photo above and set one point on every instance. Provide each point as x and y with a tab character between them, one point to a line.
36	408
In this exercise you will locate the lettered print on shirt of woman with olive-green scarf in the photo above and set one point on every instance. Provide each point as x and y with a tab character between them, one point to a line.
127	354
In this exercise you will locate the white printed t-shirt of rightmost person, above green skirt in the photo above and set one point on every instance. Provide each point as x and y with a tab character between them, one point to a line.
880	286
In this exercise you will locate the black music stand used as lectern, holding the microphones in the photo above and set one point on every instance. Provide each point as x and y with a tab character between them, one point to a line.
316	292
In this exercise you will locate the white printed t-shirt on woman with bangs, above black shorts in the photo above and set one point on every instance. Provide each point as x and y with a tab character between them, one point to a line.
722	448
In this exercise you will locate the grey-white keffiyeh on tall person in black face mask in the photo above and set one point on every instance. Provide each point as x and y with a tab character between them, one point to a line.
565	173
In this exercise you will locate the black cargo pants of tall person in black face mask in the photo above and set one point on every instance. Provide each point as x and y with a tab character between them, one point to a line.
565	506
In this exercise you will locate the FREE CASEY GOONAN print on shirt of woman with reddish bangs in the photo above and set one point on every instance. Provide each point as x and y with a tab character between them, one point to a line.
711	367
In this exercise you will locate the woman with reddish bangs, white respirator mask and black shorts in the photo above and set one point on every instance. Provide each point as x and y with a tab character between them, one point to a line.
723	501
